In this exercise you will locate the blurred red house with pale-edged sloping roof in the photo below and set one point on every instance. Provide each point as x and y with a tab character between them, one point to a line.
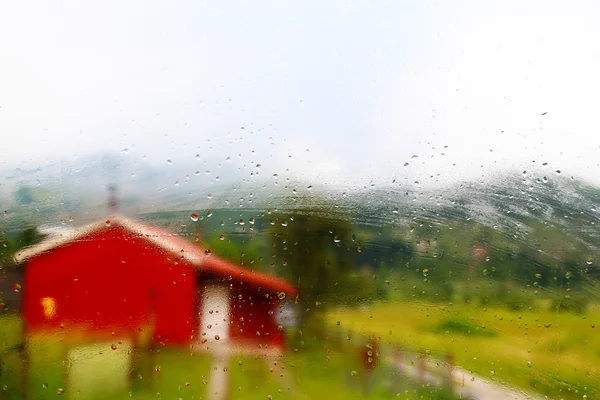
124	278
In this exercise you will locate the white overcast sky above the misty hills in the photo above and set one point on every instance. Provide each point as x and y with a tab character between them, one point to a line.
363	85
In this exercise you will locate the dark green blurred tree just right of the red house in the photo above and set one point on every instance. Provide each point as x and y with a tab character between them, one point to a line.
314	249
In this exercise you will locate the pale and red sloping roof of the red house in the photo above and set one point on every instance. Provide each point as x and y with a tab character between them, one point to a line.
167	241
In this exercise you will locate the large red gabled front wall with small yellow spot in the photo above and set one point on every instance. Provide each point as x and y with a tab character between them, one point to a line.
113	281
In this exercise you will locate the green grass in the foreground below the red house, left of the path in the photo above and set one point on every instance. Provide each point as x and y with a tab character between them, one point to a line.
317	370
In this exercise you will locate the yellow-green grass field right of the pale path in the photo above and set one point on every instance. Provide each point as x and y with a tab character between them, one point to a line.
554	354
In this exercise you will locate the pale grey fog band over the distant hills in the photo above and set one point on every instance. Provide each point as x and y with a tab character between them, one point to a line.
506	201
